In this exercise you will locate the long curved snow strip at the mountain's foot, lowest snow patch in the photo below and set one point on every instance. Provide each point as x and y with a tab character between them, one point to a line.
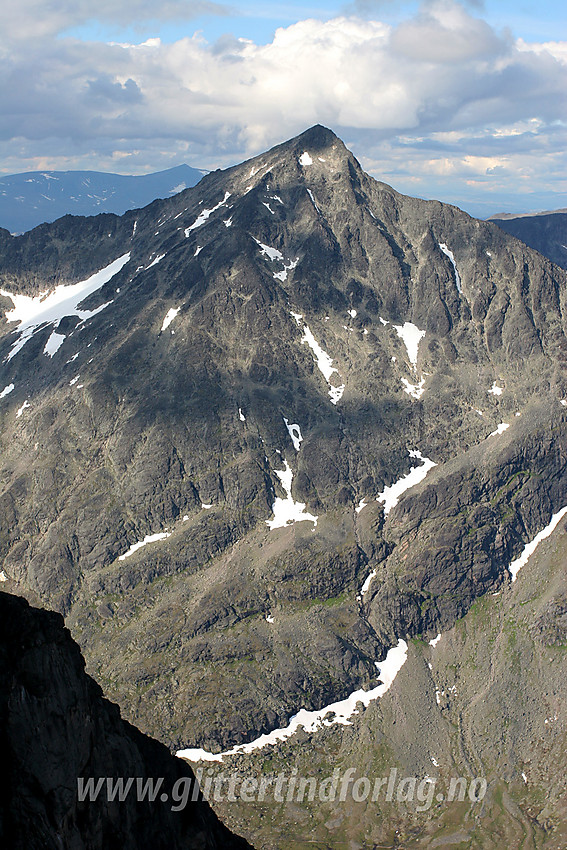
335	713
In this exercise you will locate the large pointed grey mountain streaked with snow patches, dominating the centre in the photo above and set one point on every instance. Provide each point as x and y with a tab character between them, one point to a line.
204	443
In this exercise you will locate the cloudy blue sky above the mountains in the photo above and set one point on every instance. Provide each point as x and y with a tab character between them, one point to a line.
462	101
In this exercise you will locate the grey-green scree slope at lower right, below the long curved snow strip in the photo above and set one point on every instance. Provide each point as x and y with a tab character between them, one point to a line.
486	701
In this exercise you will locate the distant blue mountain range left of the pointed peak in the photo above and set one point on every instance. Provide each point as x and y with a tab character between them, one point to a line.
34	197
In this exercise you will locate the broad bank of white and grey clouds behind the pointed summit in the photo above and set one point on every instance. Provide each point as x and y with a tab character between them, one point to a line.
441	94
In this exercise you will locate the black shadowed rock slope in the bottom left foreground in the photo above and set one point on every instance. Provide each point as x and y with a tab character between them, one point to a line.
56	728
